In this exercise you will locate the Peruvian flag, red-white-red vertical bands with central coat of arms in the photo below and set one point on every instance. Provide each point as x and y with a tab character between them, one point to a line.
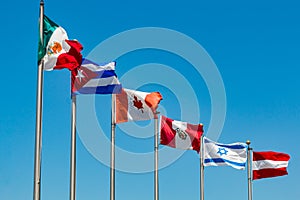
181	135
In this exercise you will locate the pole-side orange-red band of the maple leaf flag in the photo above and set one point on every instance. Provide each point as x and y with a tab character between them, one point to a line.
121	107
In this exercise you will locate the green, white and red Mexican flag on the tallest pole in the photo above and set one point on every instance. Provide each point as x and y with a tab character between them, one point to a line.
56	50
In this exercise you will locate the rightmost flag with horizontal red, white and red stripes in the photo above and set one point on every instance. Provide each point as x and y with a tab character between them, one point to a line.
269	164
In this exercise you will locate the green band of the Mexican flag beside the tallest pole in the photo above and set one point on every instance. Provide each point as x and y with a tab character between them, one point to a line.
48	29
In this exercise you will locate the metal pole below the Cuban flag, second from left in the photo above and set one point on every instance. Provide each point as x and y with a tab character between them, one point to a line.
73	151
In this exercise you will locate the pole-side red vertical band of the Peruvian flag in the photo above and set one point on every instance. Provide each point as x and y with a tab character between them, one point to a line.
167	134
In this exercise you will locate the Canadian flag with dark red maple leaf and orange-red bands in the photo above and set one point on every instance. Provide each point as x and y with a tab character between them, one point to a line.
131	105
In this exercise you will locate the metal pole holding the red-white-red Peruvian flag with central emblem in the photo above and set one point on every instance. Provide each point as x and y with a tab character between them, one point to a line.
156	190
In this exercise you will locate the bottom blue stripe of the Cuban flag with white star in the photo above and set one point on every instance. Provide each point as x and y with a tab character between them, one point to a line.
109	89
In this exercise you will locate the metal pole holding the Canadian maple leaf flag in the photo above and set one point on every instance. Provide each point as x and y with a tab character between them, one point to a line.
112	150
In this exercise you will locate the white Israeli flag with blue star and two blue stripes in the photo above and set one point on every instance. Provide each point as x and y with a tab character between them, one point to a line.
217	154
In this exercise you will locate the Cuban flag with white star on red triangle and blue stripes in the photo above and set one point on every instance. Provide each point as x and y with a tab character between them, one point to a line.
91	78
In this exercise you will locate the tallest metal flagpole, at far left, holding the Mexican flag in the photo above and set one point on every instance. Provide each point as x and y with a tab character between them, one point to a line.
38	128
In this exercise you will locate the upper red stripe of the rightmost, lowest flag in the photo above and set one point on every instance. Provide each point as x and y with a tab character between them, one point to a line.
270	155
